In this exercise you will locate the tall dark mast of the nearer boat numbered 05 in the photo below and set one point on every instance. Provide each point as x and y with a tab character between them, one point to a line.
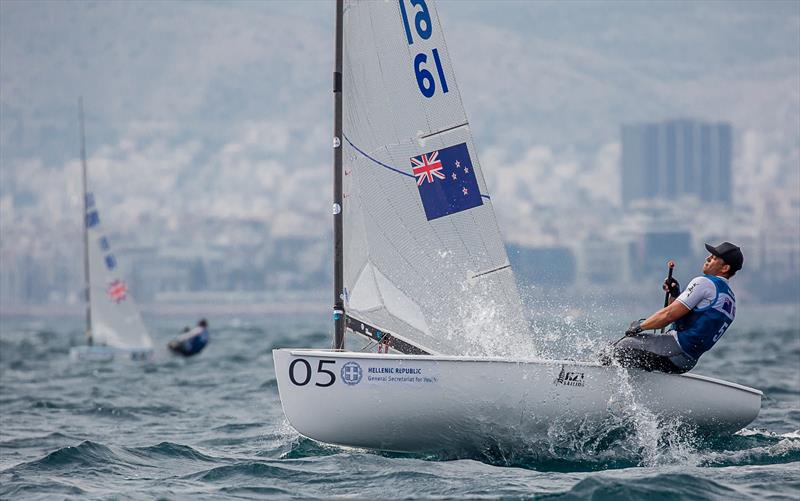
338	252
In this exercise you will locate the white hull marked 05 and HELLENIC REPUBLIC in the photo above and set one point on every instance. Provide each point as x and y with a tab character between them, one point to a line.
412	403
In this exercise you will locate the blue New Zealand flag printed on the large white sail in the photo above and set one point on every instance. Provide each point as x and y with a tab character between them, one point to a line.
446	181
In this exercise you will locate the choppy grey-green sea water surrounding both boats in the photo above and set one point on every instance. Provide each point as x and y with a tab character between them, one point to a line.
212	427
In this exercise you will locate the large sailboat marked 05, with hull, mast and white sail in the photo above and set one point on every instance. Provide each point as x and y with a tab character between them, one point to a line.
421	273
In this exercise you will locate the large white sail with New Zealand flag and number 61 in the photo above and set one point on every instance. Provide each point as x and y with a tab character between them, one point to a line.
424	259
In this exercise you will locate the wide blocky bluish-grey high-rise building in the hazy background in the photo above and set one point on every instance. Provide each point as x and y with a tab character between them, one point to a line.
677	157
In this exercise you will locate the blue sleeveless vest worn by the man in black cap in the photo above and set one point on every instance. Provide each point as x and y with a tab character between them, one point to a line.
700	329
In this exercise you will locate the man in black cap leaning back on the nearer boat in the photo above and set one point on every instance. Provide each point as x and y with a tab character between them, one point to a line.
700	316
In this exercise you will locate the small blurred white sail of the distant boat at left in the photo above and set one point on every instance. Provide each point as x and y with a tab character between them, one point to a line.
115	318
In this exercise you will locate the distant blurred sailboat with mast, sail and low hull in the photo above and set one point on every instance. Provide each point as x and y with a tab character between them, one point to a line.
114	327
